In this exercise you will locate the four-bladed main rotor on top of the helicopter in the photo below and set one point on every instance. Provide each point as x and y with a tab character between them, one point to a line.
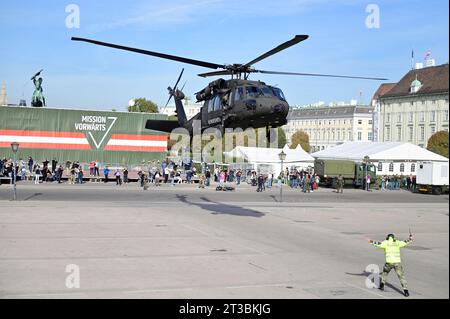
234	70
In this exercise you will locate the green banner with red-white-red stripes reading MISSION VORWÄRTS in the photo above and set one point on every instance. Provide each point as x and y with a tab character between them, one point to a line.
80	135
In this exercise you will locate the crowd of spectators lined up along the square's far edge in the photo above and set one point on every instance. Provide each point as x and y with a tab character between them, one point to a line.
168	172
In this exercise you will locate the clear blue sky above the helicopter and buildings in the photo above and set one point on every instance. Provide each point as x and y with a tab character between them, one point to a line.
34	36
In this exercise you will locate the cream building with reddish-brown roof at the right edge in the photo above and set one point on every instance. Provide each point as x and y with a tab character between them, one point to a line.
416	107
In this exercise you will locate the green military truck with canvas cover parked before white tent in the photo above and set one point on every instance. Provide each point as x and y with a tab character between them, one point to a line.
353	173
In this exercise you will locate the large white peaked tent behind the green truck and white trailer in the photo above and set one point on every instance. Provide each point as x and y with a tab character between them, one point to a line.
389	157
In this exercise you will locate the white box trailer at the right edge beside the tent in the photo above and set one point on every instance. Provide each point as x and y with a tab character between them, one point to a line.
432	177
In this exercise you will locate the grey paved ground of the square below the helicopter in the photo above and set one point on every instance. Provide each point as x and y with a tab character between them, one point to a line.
186	242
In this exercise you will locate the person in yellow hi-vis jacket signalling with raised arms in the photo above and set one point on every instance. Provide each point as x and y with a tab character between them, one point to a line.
392	248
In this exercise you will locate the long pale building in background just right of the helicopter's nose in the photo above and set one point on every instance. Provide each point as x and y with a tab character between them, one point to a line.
331	126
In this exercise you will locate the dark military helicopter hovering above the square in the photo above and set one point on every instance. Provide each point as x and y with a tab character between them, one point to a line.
234	103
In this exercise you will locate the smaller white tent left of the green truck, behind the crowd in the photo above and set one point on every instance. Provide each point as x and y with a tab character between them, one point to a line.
268	158
